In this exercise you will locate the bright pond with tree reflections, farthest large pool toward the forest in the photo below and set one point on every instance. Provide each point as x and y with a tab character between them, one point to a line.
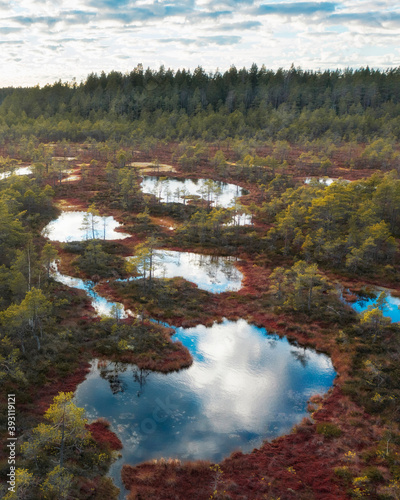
181	190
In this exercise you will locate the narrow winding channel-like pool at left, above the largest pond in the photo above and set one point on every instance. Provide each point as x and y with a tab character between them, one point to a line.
102	306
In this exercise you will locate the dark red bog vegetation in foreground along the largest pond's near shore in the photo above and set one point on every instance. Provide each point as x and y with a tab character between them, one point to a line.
299	465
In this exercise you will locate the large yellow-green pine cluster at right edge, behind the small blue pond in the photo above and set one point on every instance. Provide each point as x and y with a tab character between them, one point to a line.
349	225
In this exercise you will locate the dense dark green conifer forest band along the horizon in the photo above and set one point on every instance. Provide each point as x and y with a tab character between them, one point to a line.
287	104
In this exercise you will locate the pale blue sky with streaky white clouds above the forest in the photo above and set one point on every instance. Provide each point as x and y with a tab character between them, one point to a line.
43	41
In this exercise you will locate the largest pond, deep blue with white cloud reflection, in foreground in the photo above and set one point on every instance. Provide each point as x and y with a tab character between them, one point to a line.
244	386
